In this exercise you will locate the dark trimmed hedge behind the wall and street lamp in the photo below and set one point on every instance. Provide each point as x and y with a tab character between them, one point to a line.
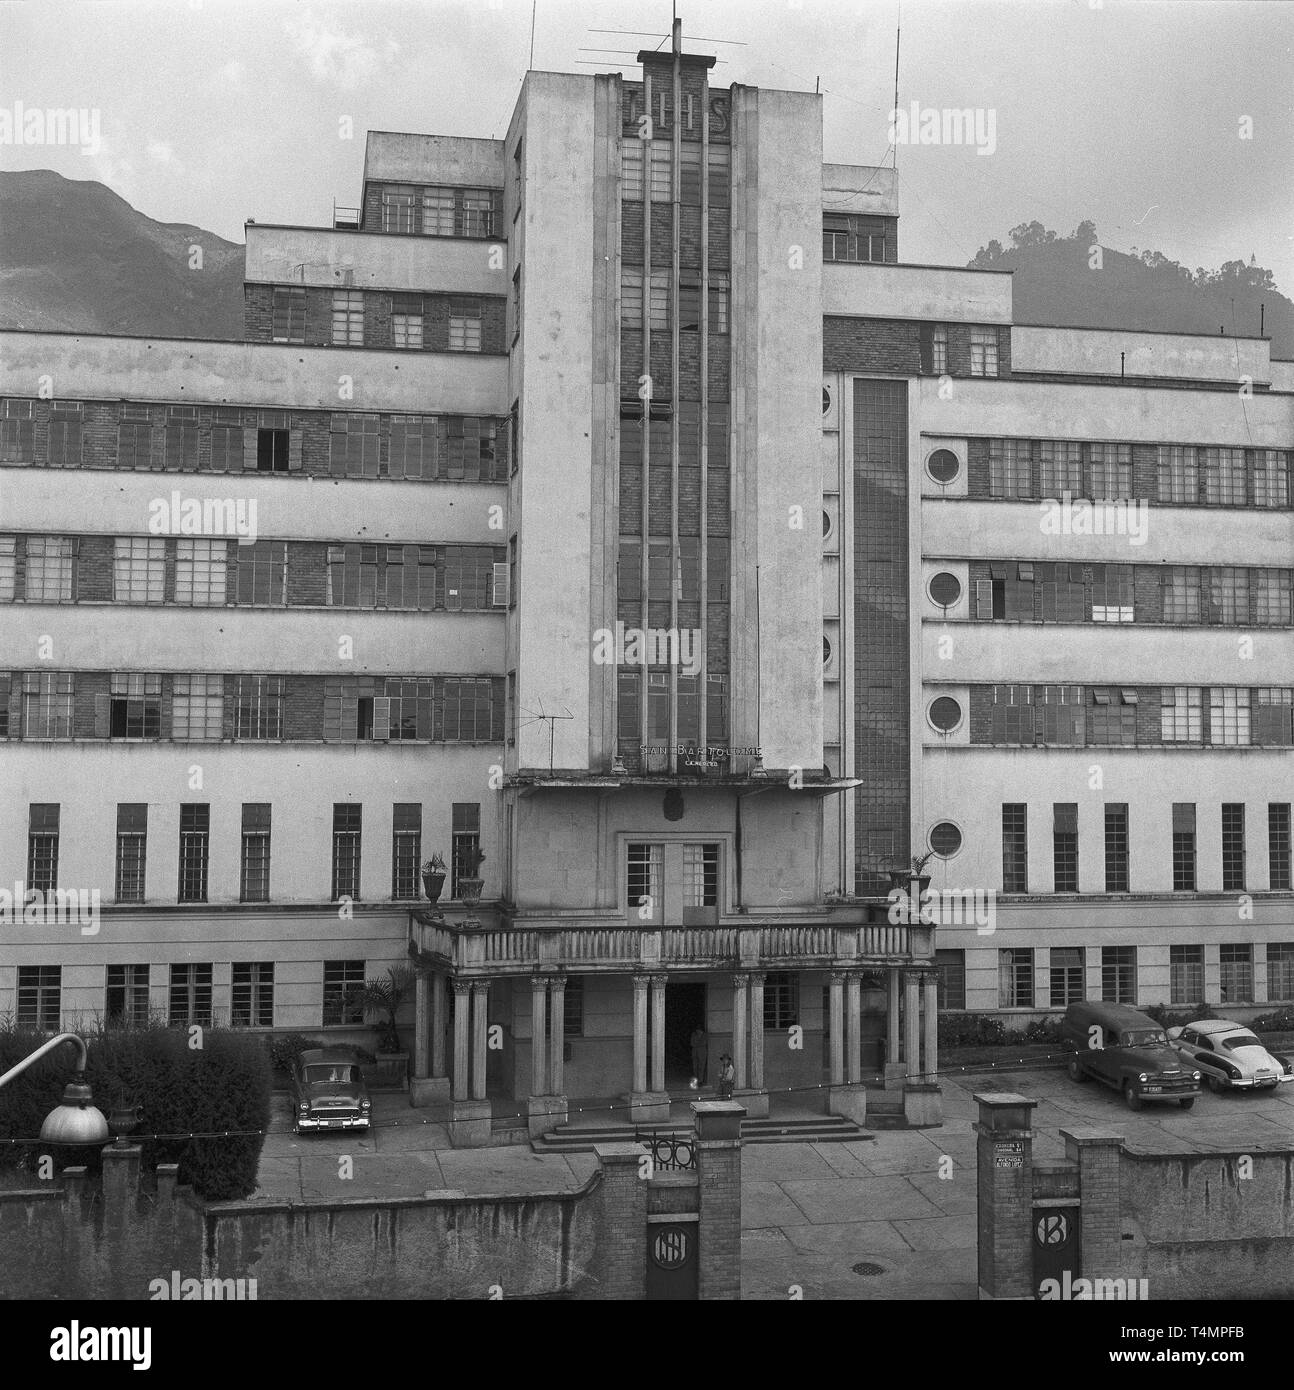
222	1086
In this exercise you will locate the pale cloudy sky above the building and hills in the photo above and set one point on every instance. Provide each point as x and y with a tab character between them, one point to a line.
1132	113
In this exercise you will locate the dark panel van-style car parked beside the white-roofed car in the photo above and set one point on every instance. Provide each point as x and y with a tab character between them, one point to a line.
1129	1053
